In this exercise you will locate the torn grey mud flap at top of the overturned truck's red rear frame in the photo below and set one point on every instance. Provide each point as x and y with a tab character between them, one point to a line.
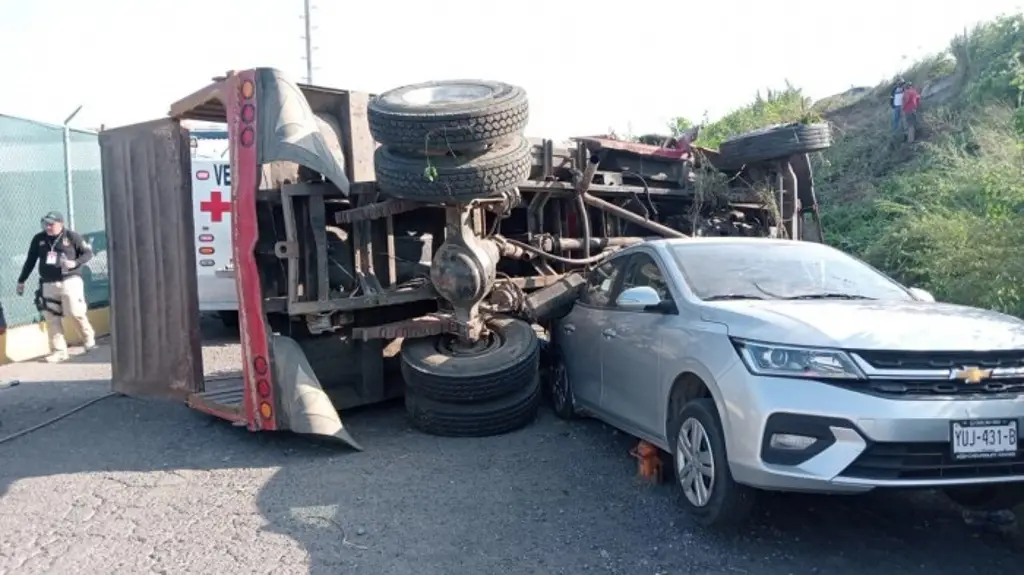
289	131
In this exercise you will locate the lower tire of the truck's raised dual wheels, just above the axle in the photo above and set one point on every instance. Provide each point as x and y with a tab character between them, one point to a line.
457	179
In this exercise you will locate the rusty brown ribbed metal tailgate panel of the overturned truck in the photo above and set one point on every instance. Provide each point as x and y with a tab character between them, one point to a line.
154	300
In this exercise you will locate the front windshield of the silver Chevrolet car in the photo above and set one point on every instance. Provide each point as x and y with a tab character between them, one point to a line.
781	271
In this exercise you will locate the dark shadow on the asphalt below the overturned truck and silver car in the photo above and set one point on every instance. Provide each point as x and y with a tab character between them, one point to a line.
553	499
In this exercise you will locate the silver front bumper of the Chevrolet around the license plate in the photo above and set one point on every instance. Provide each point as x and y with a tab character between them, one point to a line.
865	441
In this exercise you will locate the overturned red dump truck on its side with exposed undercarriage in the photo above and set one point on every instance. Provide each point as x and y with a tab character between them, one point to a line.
413	244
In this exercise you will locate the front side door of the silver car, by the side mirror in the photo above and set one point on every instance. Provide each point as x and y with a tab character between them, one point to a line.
633	352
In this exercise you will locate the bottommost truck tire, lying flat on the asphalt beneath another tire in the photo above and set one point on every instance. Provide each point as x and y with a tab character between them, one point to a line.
476	420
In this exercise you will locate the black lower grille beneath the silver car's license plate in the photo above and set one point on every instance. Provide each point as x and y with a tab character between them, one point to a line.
927	462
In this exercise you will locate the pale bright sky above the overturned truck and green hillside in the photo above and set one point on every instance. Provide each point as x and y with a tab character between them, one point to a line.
588	66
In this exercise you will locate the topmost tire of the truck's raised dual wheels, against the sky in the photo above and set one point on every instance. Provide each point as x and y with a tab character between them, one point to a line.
449	115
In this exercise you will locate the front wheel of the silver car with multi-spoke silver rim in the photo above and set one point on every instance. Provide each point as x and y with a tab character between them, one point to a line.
728	504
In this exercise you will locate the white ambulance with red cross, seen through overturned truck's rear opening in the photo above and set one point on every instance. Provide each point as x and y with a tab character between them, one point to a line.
215	261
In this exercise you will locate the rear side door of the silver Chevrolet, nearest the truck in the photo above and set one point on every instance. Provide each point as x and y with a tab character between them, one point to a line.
579	334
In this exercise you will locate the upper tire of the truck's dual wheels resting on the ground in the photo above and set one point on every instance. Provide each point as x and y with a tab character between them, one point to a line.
508	367
